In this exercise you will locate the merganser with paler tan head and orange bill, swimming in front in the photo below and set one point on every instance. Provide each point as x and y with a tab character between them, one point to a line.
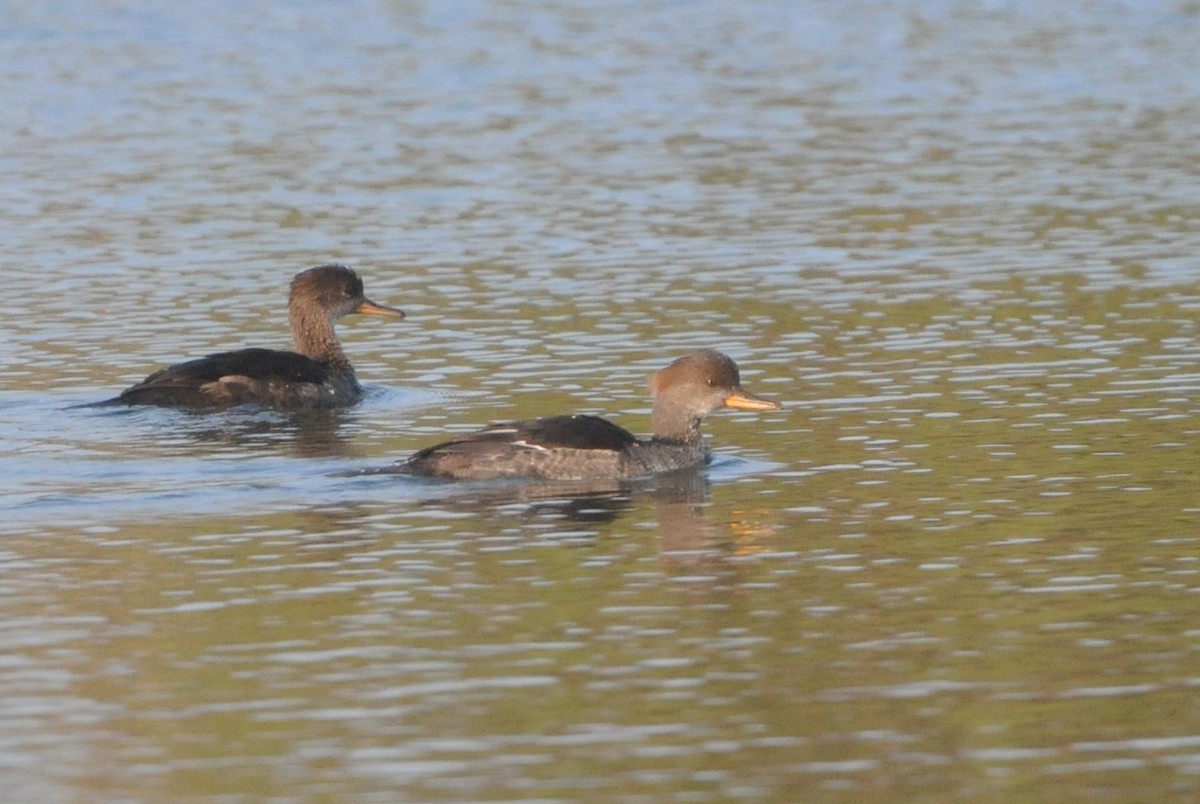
583	447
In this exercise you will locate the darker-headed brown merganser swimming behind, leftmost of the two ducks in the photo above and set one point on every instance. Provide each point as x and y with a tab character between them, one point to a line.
317	375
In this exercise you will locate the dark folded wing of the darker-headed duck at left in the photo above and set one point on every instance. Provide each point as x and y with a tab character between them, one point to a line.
185	382
